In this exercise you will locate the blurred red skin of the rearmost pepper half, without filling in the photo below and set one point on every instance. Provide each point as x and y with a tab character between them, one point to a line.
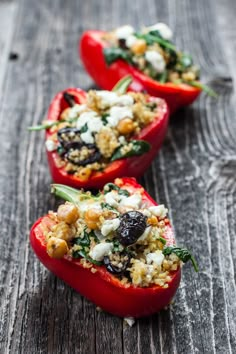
91	52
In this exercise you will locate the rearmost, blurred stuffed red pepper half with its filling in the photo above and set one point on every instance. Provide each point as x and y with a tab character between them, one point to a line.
149	56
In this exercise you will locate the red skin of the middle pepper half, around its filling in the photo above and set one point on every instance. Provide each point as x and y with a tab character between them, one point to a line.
154	133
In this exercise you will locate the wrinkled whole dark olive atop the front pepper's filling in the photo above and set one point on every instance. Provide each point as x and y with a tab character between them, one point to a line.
132	226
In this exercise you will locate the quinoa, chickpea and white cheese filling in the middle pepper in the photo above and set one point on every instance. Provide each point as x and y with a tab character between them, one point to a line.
103	129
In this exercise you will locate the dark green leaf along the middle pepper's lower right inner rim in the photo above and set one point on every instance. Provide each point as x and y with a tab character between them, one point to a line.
138	147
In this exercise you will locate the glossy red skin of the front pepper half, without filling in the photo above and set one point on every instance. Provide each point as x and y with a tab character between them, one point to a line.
101	287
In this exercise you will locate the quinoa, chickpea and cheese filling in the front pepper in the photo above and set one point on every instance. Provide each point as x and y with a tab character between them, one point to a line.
116	229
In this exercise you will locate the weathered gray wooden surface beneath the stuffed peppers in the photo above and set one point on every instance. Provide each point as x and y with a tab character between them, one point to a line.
194	174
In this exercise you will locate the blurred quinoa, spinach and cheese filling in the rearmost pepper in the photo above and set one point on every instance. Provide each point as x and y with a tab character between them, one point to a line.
151	51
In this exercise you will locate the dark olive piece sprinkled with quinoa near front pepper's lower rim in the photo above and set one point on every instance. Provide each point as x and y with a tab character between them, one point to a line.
113	262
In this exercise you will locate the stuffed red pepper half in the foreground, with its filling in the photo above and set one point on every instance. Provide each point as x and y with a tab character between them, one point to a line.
116	248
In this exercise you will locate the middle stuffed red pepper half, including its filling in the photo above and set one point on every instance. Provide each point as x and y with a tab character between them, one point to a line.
94	137
